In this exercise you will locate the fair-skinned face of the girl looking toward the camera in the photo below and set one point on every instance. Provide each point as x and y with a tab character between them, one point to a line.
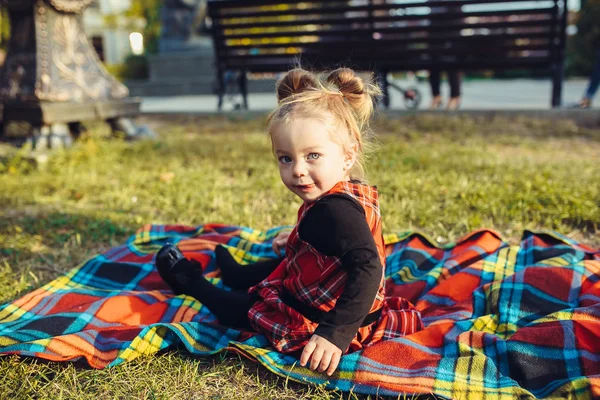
310	163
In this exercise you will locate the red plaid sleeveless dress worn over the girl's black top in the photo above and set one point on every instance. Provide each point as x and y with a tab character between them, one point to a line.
318	280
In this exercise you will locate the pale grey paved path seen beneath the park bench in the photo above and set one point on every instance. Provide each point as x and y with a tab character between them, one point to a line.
521	94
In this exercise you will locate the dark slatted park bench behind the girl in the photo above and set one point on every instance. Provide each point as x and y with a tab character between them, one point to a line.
387	36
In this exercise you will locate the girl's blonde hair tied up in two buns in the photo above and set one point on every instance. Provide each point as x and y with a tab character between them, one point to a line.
340	95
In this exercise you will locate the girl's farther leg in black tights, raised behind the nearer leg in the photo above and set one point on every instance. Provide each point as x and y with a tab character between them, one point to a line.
238	276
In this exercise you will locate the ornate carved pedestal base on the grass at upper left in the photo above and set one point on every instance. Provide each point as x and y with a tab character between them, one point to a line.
53	78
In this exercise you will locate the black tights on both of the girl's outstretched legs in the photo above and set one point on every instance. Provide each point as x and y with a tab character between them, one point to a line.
230	307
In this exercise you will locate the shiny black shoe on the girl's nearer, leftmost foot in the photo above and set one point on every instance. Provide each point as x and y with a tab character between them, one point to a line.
174	268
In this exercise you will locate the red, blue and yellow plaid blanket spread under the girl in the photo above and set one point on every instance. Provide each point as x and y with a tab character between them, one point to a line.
501	321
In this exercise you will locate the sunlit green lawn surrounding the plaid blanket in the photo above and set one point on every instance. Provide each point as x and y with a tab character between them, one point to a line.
444	176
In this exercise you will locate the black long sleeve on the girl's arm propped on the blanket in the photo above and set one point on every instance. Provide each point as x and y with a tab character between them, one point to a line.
336	226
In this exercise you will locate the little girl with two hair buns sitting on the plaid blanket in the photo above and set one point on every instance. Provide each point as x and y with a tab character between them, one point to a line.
327	295
